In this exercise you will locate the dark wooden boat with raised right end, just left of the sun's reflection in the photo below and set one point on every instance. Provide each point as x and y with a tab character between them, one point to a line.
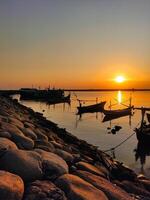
99	107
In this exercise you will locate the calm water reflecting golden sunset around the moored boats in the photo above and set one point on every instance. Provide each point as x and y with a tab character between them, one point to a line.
91	128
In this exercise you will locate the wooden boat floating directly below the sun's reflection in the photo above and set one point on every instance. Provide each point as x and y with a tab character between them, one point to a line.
118	113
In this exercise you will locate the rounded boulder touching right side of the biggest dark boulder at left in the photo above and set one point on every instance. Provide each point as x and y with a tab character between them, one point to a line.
53	165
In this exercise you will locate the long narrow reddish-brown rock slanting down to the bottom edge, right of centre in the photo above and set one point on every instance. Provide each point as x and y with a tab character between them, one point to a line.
113	192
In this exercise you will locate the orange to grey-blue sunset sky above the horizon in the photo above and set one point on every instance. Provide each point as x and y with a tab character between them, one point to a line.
74	43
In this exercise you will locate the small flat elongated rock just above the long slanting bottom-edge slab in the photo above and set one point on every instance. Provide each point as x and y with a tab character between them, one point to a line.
90	168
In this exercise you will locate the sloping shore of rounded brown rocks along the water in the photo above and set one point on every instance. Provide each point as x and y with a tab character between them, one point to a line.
40	161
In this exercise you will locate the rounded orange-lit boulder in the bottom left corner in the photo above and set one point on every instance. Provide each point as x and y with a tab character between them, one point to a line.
11	186
